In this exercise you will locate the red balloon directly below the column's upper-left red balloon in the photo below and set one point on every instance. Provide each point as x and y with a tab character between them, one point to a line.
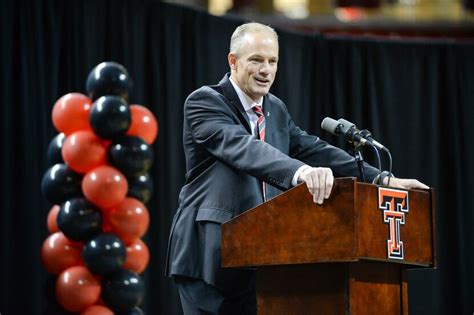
83	150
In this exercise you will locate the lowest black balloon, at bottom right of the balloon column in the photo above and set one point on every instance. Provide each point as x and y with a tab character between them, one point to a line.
122	291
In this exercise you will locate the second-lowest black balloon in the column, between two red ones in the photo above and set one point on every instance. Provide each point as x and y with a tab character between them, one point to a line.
104	254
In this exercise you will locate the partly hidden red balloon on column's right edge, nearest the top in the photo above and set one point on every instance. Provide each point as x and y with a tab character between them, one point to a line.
144	124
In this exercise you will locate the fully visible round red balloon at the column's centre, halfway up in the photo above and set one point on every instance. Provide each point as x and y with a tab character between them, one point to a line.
105	186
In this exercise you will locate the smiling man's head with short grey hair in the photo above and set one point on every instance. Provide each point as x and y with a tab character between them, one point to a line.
253	58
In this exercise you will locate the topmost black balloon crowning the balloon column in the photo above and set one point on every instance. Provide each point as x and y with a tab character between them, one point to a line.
108	78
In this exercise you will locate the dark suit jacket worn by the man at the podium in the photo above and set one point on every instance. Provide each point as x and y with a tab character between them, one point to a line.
225	165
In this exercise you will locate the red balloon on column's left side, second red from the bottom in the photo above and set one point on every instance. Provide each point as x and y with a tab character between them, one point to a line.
59	253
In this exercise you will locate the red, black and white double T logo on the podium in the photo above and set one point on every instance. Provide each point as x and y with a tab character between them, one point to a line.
394	204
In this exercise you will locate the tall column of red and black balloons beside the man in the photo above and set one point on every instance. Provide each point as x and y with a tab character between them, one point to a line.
98	183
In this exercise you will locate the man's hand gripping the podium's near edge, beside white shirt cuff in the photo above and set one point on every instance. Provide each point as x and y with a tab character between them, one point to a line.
319	181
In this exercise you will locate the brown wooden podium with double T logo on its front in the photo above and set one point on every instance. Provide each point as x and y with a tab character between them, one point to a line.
348	256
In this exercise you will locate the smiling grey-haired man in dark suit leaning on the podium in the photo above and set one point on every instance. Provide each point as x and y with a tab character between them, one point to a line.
242	148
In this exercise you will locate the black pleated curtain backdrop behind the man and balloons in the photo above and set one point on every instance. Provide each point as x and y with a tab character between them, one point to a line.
416	96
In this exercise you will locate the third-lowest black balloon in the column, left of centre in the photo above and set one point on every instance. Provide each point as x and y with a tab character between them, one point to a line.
79	220
